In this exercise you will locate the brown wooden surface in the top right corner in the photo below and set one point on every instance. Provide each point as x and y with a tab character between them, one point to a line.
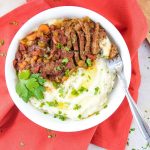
145	5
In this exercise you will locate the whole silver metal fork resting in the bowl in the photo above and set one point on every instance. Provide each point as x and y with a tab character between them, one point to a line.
116	65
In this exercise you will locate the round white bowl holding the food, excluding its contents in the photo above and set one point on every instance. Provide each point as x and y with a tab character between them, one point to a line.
47	121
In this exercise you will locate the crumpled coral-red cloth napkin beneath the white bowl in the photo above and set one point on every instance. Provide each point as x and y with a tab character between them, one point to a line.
17	132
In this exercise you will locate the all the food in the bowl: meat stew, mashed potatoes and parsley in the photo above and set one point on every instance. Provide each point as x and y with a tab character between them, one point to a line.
61	68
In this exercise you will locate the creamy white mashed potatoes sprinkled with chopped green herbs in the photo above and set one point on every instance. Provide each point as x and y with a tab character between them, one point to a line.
85	93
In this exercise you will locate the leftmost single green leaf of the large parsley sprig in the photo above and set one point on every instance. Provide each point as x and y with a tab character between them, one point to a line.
22	91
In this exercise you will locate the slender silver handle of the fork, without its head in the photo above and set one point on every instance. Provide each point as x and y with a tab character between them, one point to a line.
143	126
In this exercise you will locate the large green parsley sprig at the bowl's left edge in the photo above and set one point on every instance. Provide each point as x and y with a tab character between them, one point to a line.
30	86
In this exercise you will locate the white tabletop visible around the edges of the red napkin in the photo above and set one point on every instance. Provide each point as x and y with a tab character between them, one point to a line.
136	142
